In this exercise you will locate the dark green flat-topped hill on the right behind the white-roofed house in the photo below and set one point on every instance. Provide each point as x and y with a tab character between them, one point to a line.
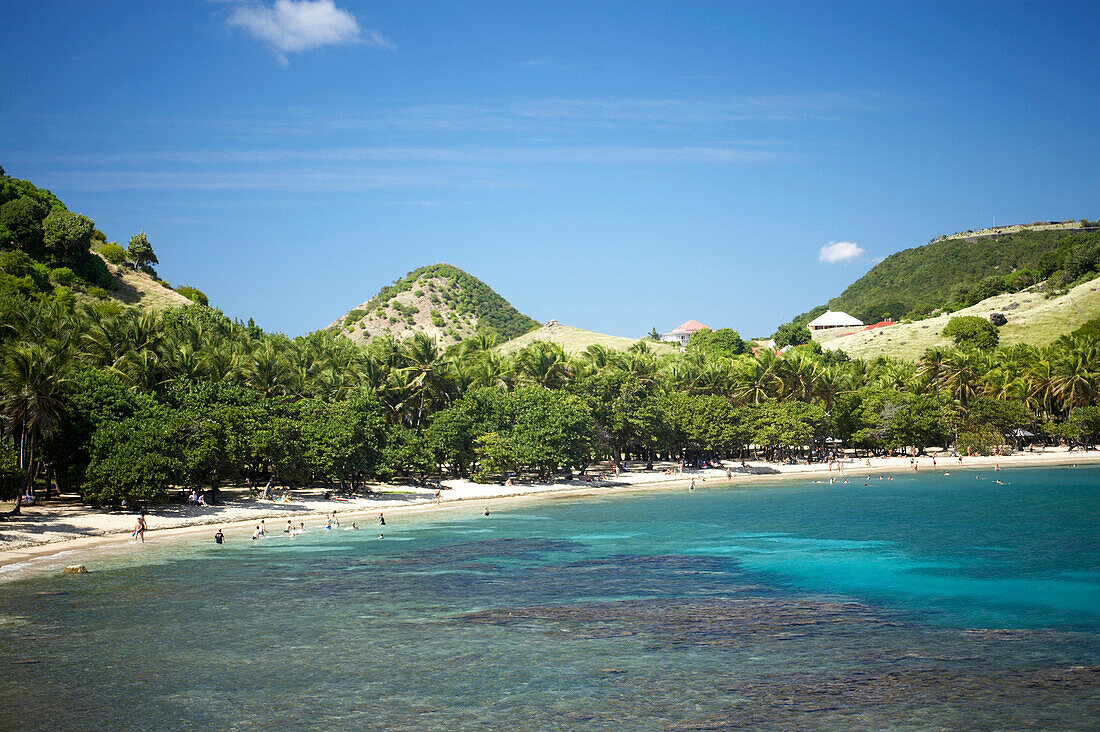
951	274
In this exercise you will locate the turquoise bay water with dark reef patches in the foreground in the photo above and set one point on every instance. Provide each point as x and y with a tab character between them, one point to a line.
920	603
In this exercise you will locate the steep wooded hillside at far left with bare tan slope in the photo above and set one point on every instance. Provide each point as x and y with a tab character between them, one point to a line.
50	254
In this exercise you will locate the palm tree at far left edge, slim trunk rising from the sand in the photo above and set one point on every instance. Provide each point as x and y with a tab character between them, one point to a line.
31	381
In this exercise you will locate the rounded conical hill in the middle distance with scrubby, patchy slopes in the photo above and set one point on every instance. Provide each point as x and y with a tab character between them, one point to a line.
441	301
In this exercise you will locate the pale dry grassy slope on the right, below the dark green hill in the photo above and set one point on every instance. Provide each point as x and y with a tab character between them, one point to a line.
1037	321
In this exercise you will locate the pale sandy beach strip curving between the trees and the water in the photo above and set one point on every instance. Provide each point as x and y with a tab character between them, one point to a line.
49	530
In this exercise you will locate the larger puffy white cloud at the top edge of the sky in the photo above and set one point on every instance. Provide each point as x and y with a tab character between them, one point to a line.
292	26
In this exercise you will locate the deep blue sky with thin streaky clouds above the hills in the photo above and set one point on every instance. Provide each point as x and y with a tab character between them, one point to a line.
612	166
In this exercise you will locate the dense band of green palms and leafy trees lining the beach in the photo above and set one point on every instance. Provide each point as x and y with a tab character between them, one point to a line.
130	405
